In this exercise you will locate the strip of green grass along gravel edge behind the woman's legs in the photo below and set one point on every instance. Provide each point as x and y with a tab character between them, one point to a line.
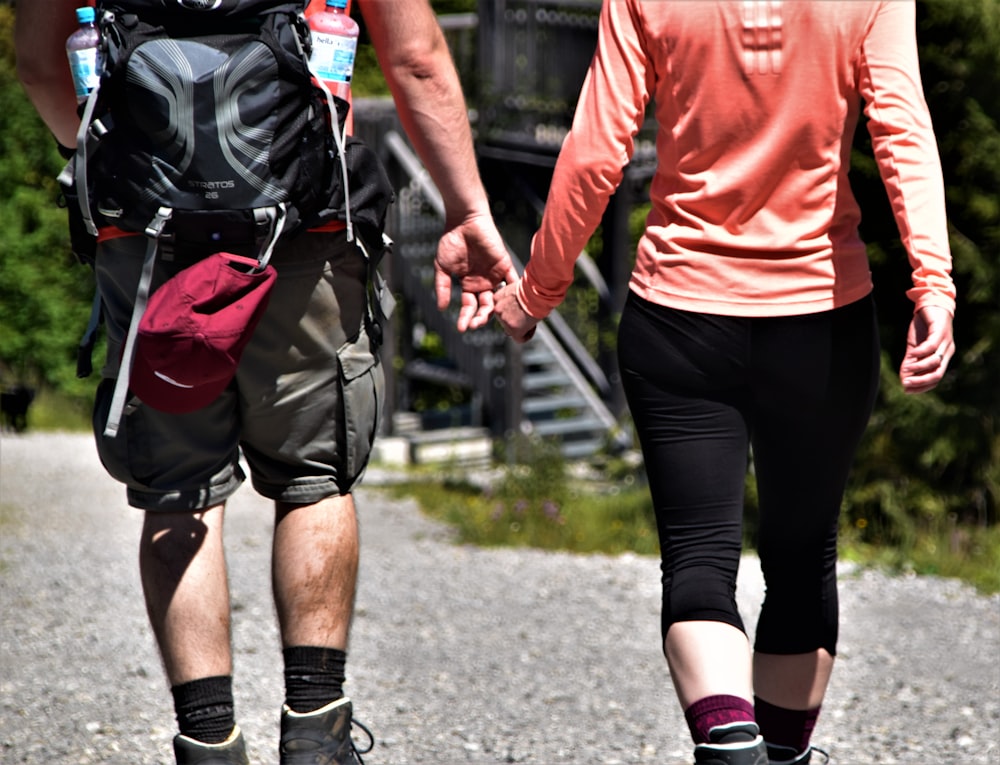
534	503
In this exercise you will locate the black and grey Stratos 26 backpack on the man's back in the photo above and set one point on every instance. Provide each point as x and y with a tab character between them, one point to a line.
208	132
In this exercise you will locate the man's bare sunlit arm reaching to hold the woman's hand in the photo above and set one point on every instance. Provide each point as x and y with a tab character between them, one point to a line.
417	65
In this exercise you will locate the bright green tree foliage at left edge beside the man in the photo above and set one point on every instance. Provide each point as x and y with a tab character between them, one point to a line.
45	294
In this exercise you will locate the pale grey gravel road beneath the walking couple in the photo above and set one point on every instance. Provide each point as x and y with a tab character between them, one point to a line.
459	655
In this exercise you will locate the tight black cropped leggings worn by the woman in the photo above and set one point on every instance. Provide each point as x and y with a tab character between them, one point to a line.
703	390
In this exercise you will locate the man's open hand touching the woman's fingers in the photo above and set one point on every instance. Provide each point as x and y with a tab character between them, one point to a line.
472	252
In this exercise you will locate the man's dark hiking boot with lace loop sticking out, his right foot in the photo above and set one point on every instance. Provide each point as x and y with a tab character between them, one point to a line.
322	737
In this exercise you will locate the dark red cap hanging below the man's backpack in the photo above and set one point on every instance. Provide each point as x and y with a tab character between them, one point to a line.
194	330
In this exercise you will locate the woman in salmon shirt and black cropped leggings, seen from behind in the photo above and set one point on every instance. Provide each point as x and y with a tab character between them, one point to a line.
750	324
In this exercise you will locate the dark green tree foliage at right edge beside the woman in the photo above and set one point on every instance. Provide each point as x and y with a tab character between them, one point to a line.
932	459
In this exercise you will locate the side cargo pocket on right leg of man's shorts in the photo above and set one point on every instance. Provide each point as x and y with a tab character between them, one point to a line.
362	390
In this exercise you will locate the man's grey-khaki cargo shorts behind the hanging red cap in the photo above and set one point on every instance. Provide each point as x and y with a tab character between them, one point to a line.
303	409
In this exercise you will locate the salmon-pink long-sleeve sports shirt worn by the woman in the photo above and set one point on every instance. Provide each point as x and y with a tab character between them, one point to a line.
756	105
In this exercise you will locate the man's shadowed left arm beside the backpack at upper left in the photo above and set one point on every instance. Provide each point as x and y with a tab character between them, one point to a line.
40	32
